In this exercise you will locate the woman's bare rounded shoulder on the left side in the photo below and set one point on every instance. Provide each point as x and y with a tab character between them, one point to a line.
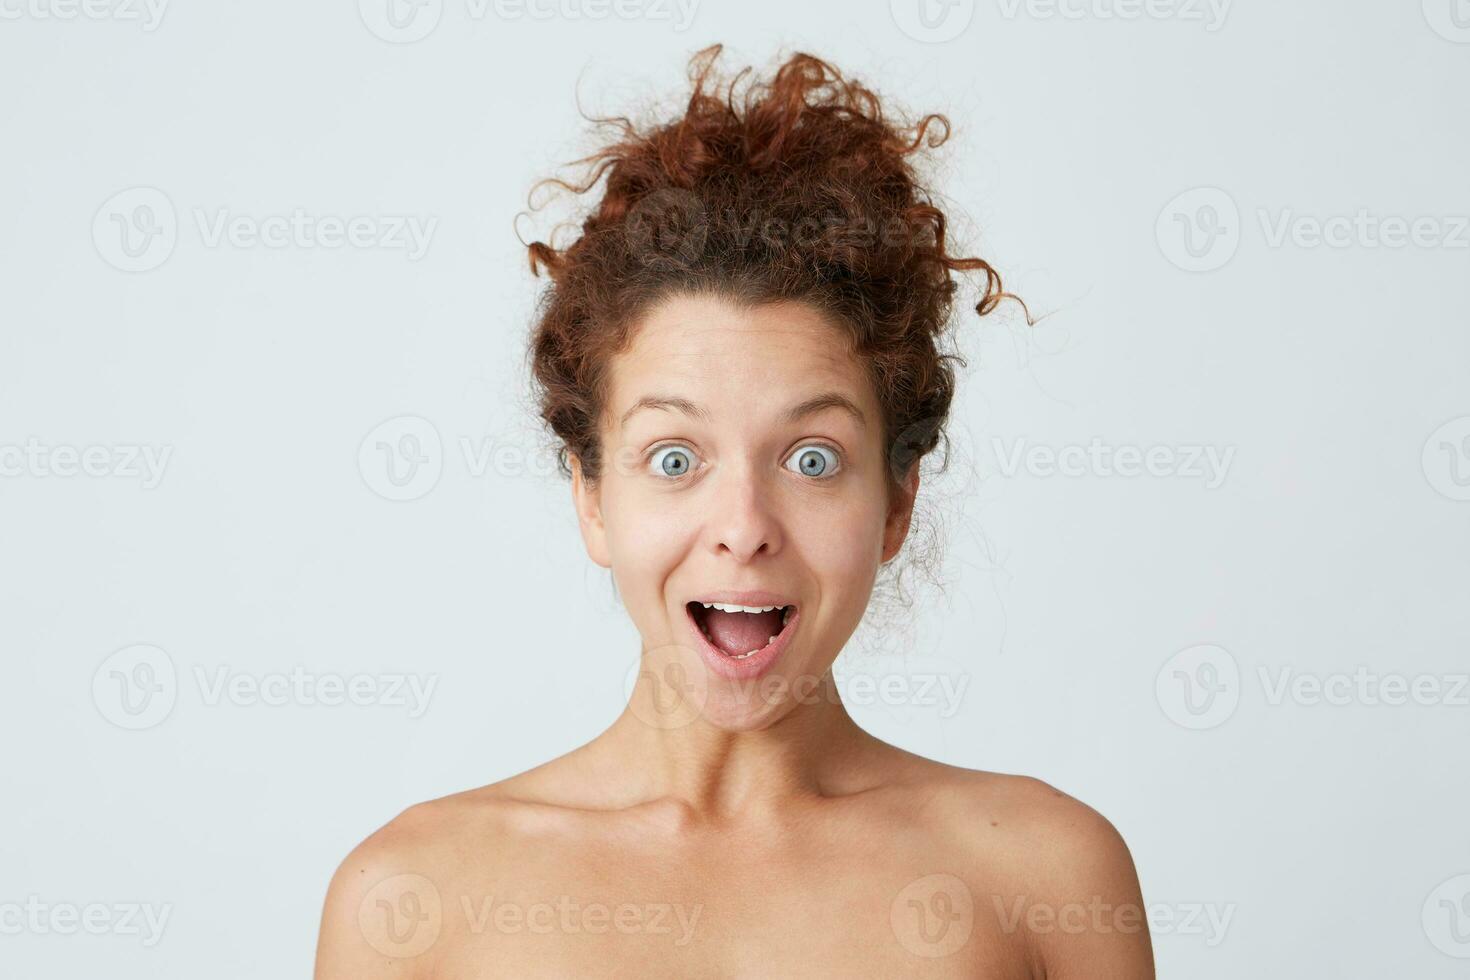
386	903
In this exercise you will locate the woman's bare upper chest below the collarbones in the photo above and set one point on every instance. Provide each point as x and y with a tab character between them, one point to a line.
573	912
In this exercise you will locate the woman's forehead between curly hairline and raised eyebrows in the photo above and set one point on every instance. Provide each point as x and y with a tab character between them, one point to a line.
734	359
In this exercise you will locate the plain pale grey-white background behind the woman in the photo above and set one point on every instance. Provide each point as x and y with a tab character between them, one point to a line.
1338	538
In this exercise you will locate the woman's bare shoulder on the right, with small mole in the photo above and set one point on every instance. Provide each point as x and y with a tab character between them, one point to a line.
1043	866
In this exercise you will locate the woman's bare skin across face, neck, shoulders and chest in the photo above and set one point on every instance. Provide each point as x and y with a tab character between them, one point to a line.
721	829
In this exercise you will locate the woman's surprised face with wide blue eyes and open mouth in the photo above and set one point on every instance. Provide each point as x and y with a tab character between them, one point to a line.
743	453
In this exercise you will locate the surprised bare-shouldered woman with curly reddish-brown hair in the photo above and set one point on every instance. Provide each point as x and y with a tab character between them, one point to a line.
740	358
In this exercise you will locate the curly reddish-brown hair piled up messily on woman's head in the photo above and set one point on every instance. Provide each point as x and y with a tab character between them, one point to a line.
800	190
